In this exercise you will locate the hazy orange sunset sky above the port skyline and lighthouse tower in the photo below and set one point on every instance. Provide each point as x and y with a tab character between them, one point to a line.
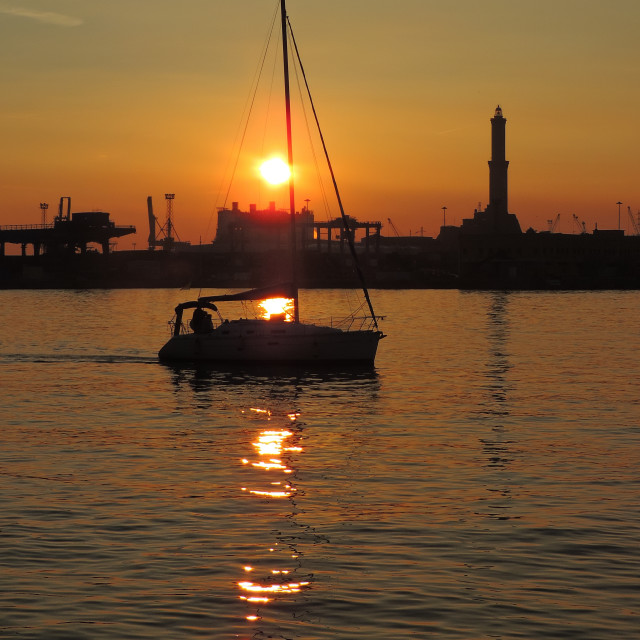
110	102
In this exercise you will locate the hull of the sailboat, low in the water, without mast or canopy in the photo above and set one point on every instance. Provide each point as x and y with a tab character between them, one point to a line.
273	342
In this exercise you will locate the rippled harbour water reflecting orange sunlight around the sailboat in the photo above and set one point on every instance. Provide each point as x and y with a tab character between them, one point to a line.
482	482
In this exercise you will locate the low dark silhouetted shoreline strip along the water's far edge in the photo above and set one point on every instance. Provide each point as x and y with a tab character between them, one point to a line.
539	262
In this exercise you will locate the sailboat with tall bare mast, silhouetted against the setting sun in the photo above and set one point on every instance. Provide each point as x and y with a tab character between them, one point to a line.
282	338
